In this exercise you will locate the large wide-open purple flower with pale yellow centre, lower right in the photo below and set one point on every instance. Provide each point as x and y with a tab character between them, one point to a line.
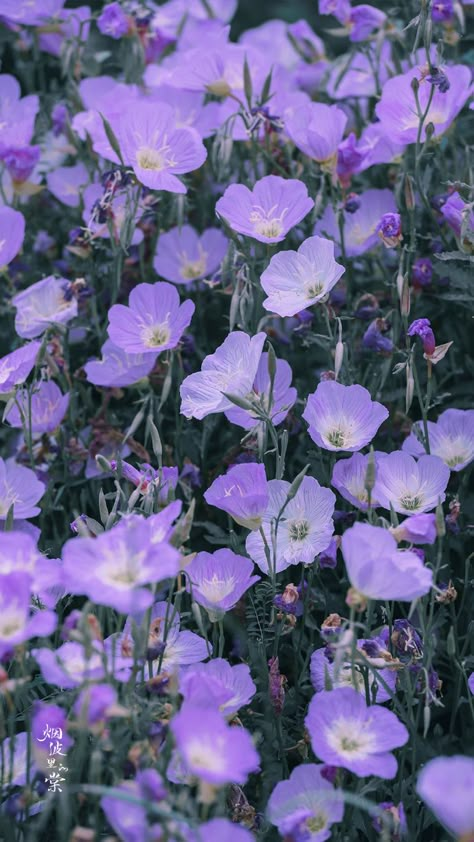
345	732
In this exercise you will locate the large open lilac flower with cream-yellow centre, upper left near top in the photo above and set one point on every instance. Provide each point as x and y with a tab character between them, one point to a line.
156	149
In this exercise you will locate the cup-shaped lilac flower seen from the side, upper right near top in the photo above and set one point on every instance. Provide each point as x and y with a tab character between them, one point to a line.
317	130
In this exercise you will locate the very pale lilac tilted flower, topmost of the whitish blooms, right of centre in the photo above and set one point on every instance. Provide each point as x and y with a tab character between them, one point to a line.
297	279
